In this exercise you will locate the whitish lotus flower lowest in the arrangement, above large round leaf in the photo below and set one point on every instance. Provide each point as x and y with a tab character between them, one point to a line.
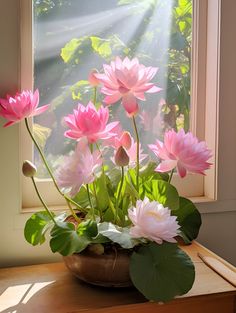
153	221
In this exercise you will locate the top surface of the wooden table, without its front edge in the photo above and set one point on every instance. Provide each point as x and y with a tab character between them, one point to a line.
51	288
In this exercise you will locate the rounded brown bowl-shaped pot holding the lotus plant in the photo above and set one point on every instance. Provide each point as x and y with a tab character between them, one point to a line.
110	269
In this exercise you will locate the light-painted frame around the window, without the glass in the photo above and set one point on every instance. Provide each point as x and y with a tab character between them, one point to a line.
204	106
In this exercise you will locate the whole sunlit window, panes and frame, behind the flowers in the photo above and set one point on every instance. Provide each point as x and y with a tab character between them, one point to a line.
69	41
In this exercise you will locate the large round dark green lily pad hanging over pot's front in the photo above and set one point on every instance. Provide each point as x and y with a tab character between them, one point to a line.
161	272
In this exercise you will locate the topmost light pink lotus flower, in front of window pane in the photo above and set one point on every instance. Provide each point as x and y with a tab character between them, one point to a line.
127	80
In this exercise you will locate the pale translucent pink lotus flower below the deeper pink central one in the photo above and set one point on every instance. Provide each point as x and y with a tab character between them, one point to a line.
78	168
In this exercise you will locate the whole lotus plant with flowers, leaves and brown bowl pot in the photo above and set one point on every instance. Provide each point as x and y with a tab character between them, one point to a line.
124	214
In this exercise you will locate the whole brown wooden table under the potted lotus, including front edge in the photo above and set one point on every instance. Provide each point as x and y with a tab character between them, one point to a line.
51	288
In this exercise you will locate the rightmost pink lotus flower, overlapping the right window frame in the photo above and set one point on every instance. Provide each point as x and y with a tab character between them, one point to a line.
183	151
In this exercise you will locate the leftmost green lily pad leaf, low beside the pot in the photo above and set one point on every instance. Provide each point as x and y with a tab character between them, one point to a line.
36	227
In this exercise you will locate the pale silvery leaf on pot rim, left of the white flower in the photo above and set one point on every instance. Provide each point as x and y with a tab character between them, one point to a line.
117	234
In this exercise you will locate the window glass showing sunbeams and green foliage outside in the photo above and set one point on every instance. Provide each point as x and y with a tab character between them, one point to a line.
73	36
